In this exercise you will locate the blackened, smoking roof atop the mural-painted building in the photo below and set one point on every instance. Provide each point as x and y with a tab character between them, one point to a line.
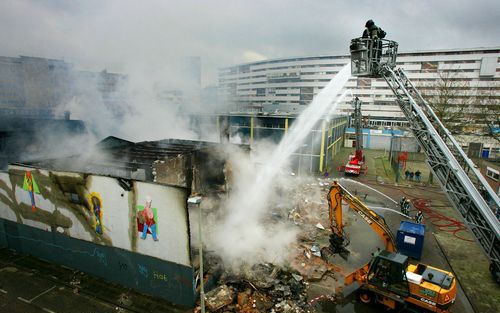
176	159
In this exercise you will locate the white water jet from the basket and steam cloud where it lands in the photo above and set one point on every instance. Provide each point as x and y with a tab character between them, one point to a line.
242	237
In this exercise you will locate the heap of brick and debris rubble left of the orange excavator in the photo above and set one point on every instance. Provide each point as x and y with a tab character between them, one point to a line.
271	288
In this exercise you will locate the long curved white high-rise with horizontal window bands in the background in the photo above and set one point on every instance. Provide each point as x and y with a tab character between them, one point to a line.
458	78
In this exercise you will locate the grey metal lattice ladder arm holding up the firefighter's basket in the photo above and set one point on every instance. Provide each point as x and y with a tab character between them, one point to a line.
456	173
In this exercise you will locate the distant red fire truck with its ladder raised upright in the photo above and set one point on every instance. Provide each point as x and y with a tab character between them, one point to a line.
356	161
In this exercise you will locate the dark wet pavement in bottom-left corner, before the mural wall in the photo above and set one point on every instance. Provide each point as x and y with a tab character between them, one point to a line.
31	285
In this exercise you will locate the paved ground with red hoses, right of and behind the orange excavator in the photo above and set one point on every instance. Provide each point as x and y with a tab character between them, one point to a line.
448	243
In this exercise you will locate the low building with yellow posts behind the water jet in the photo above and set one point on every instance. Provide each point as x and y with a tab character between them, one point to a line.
315	154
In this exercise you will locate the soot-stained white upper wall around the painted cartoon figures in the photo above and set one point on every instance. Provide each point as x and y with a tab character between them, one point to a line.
119	211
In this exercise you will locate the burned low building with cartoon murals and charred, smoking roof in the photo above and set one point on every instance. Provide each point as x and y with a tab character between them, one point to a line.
118	212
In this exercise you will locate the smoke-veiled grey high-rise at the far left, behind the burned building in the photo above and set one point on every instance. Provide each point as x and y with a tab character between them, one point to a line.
35	87
